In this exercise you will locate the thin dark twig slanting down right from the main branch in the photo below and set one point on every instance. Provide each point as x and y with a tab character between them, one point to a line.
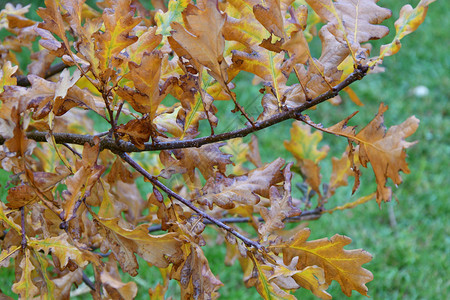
186	202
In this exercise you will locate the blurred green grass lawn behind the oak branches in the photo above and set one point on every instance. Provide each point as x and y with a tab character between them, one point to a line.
409	237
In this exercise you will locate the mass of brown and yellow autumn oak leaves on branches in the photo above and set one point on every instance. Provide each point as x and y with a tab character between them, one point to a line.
154	76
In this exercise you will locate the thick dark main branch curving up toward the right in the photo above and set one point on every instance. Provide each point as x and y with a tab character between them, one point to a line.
122	146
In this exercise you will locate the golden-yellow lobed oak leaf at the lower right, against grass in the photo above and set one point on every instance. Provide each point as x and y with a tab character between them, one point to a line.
339	264
